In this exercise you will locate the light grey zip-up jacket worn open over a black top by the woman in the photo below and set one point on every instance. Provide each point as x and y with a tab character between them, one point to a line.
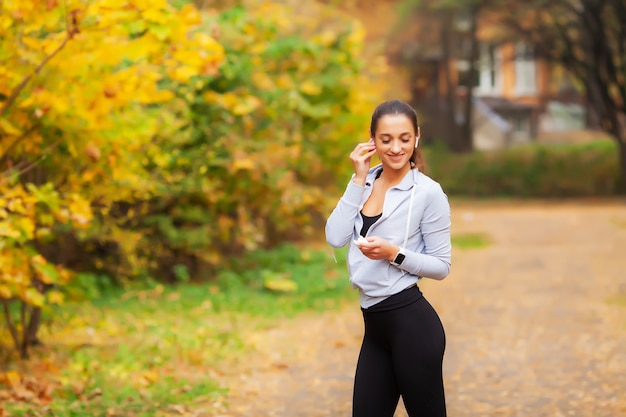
428	248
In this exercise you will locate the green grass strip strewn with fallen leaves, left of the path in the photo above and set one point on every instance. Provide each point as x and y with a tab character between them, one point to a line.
152	352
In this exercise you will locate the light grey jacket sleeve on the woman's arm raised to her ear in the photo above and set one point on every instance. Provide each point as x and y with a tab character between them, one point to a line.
340	223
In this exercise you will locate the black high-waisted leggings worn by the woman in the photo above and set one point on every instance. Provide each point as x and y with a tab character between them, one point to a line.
401	354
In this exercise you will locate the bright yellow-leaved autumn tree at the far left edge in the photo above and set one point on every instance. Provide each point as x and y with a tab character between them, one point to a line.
76	83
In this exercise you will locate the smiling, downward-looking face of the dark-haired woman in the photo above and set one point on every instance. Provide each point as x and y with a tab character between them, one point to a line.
395	141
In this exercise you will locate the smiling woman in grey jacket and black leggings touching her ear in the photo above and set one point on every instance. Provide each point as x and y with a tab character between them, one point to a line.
397	223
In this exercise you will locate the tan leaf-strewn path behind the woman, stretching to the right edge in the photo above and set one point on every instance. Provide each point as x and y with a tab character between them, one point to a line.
535	324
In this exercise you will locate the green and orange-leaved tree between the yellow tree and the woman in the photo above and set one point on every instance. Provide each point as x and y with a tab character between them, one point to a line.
259	145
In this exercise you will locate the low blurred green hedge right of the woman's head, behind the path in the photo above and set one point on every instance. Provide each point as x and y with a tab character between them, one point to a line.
568	170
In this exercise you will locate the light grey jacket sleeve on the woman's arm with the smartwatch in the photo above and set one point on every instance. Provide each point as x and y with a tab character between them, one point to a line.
435	261
